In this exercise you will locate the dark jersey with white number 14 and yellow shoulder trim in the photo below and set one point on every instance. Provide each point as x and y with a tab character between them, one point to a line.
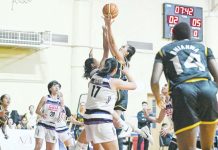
184	60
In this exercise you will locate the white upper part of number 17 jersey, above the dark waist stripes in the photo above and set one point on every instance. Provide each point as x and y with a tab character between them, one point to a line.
100	94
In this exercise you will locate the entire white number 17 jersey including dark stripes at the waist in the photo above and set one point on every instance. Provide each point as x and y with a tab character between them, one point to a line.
100	101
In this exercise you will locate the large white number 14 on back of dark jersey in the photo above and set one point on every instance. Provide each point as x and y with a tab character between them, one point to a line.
193	61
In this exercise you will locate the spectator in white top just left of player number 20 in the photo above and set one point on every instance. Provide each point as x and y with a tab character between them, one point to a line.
31	117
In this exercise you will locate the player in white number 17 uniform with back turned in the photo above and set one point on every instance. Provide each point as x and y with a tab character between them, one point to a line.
102	96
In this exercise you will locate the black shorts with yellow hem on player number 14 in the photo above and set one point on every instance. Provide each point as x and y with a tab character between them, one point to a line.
194	103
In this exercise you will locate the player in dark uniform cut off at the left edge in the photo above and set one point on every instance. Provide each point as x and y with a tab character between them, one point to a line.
4	114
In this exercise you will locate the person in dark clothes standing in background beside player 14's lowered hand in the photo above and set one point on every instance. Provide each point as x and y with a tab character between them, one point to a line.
142	122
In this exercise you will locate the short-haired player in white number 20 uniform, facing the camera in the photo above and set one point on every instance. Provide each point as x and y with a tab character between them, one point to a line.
49	109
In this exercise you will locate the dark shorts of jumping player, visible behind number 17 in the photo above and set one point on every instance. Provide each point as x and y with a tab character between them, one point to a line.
122	100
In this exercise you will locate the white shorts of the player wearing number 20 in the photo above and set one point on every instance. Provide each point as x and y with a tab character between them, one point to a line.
43	133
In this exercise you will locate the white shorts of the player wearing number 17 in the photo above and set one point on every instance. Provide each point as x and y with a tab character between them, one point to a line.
100	133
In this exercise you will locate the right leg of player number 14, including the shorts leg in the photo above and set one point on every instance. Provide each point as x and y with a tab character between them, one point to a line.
208	112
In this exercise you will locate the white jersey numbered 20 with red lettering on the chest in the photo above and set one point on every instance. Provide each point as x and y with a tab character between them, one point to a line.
52	110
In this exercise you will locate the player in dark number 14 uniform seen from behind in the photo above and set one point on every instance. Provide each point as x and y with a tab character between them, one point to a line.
187	65
